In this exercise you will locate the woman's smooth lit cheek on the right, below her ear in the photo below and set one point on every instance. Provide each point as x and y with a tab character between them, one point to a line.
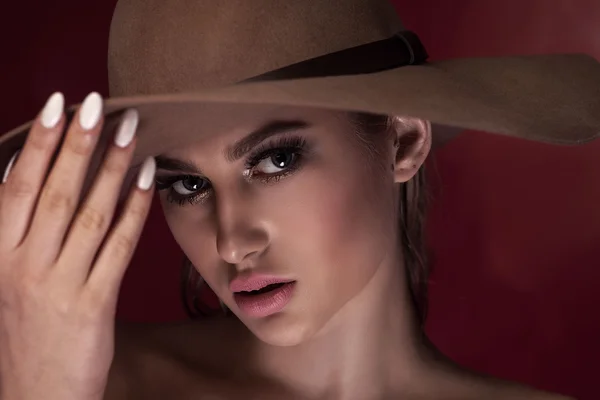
340	230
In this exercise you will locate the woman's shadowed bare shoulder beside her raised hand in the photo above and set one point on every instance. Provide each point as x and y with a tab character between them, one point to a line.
171	360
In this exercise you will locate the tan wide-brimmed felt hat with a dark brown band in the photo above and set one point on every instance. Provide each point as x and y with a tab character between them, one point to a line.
200	67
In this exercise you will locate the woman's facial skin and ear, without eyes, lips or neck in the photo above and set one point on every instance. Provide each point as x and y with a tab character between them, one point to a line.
327	225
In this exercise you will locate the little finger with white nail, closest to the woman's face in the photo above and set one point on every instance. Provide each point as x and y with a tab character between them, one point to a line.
105	278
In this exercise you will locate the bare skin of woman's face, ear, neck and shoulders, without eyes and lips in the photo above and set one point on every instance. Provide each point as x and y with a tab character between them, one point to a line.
350	330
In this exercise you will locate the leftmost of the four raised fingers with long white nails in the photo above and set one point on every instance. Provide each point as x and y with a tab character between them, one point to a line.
23	179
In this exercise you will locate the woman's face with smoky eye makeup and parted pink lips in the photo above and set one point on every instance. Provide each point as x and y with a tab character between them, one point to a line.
298	201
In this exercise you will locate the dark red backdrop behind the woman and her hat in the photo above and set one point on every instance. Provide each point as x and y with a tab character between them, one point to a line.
515	226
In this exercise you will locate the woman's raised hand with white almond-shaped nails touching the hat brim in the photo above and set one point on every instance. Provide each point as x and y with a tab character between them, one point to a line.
60	266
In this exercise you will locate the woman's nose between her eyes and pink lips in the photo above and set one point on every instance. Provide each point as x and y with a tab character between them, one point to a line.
241	232
